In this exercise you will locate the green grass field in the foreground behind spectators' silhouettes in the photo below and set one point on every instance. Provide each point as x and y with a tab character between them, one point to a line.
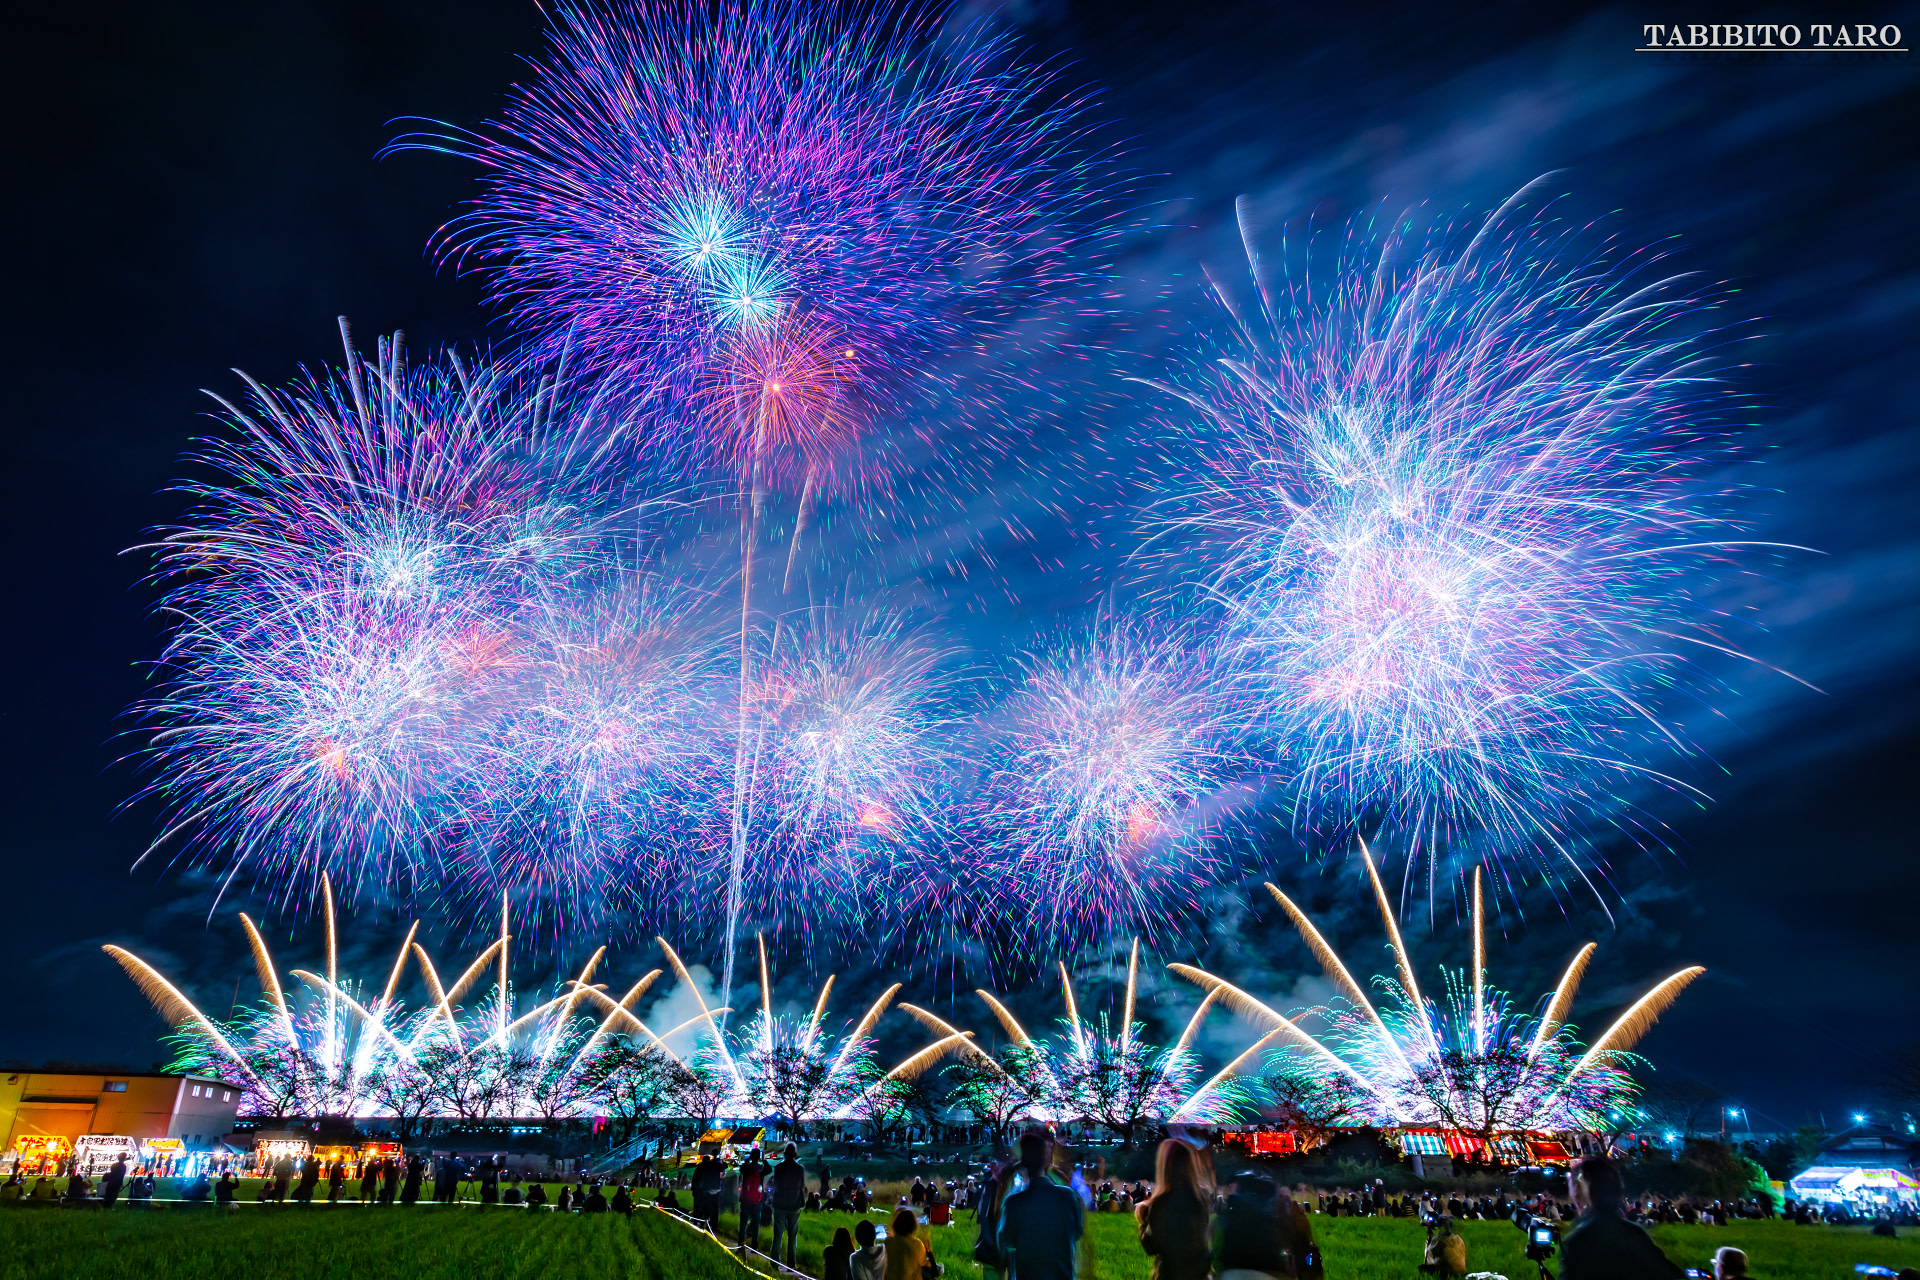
431	1243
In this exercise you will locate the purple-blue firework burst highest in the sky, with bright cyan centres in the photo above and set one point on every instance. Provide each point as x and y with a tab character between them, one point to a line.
681	176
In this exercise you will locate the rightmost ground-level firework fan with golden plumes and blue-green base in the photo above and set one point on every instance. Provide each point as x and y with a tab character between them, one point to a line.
1468	1060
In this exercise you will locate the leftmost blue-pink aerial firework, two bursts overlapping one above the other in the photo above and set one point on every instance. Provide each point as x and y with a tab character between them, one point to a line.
350	596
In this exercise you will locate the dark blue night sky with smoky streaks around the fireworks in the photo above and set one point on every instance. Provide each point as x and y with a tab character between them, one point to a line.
193	189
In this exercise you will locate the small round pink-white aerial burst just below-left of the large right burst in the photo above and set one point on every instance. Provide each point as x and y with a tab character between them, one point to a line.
1111	782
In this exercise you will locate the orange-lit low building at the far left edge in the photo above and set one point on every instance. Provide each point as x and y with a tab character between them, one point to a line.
139	1104
